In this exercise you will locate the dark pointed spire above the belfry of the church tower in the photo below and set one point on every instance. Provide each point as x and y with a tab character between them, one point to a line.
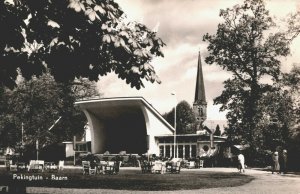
200	90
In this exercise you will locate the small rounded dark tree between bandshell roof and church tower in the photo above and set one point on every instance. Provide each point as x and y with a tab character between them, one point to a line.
185	118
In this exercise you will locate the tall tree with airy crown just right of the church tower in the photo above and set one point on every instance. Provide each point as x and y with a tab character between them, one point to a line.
246	46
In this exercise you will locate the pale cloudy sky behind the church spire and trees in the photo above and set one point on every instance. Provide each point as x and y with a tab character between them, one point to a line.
181	25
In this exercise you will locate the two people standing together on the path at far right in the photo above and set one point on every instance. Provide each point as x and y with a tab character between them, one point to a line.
279	159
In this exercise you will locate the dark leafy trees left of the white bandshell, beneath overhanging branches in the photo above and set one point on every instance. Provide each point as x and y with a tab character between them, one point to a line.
37	104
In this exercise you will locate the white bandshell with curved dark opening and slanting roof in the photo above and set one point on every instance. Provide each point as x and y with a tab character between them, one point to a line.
127	124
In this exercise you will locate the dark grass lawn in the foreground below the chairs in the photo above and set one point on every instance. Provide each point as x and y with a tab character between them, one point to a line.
133	179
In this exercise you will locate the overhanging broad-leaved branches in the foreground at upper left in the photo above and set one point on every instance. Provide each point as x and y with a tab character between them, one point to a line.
74	38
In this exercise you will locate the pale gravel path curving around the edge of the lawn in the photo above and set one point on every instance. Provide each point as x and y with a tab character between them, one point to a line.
264	183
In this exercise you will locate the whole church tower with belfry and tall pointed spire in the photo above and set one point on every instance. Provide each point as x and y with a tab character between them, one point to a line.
200	104
